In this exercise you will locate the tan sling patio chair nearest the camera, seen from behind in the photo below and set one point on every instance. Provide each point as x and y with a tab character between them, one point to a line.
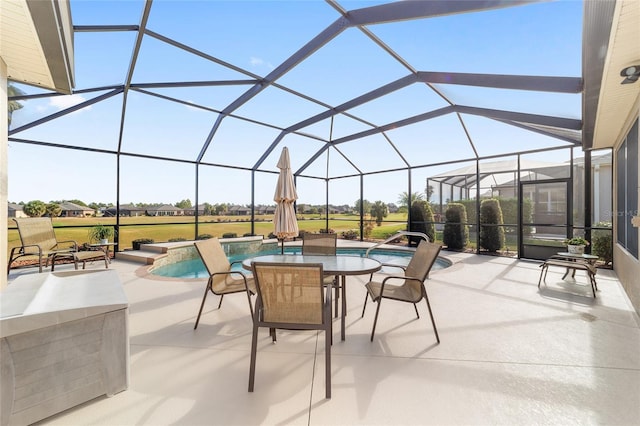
278	306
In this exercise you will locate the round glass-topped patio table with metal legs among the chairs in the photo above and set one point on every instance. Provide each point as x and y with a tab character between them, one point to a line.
340	265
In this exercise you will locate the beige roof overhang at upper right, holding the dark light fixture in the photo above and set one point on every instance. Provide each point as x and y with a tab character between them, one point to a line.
610	43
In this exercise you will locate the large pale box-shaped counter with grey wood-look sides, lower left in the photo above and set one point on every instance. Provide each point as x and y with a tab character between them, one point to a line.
64	340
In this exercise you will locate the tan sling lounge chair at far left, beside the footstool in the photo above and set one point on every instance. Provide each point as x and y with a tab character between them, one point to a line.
39	239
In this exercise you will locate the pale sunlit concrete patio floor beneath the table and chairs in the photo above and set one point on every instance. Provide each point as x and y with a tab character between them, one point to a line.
510	354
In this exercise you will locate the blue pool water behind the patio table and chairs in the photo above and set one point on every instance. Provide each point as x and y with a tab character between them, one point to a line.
195	268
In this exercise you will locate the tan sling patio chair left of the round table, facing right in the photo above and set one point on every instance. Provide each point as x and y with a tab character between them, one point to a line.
222	279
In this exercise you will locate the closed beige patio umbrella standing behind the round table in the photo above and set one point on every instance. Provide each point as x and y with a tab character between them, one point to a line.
285	222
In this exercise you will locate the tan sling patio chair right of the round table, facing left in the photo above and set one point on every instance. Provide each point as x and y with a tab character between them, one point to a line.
412	288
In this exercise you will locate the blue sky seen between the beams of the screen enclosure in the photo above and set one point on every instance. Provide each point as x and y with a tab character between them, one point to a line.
533	39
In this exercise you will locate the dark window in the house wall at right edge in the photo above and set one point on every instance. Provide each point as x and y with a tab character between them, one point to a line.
627	200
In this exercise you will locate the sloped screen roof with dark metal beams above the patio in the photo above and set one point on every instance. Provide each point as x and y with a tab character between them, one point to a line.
352	88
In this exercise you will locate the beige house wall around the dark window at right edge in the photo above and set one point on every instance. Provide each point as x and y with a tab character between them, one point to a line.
625	265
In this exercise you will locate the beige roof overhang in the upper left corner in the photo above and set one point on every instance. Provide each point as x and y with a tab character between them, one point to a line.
37	43
